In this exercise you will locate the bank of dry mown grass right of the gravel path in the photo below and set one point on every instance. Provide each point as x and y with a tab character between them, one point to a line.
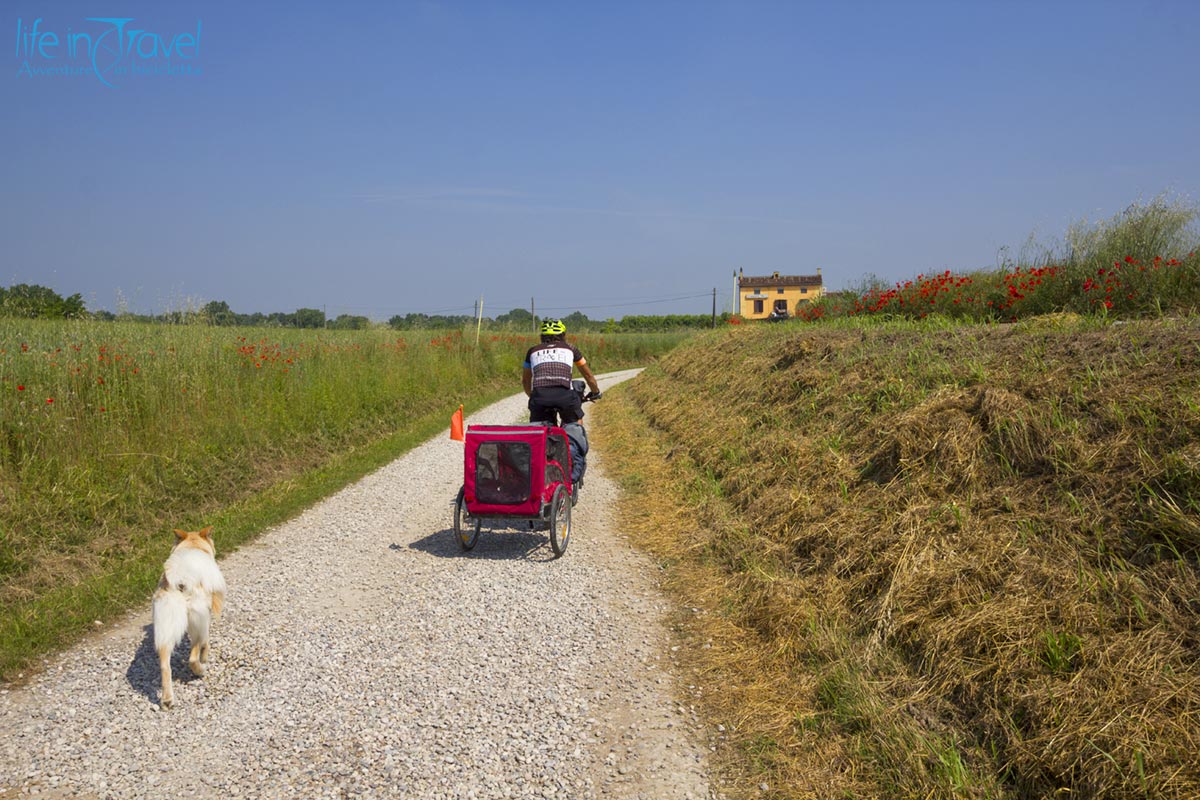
933	560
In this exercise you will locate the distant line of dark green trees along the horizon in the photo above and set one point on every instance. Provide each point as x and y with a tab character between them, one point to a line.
35	302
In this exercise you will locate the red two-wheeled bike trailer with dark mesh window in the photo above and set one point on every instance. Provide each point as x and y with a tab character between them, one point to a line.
515	477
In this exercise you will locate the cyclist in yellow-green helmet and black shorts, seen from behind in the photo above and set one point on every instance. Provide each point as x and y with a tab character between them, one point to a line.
548	377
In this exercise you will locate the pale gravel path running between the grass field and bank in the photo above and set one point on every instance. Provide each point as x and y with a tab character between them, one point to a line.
363	654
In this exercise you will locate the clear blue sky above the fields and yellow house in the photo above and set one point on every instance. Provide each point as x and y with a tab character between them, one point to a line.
615	158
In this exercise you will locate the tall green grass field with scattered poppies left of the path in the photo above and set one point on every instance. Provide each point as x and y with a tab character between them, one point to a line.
112	435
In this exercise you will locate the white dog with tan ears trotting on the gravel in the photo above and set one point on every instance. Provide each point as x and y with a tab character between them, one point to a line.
190	596
